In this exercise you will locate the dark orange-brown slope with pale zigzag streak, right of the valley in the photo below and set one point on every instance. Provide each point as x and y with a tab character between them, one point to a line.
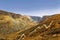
49	29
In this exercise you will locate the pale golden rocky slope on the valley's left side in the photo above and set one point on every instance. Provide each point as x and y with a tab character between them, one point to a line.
11	23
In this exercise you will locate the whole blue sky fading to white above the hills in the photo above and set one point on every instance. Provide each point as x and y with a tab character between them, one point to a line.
31	7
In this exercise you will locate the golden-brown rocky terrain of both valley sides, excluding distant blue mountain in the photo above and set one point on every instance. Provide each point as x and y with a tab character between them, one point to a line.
19	27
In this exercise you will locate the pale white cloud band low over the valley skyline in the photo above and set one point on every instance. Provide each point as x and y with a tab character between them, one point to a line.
41	12
